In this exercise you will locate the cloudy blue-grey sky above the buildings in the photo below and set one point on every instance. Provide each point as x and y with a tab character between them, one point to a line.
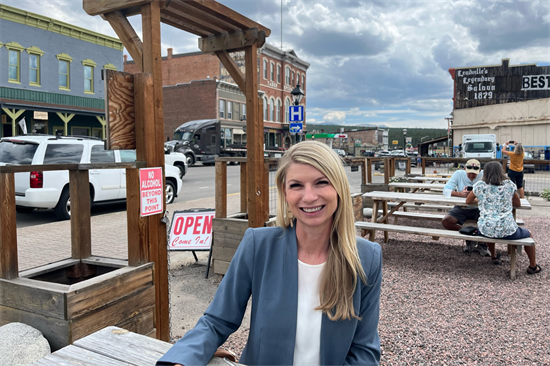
373	62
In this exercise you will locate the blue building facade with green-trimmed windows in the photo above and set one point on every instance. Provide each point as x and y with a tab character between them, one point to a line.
50	75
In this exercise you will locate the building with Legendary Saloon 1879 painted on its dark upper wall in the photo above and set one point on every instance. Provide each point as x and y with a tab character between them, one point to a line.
510	101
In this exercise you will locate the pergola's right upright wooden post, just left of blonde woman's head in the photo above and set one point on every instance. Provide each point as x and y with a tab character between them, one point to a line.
255	153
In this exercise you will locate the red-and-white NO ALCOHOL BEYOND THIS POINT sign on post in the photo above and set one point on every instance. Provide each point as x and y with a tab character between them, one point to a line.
151	191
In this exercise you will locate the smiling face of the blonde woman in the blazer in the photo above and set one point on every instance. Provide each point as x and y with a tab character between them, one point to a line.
310	196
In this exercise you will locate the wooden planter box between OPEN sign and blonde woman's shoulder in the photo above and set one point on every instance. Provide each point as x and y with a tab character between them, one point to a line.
227	234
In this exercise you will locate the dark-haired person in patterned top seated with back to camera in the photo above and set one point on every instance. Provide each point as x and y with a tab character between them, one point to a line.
497	196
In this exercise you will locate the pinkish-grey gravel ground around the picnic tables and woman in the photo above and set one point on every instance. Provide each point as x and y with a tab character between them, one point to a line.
438	305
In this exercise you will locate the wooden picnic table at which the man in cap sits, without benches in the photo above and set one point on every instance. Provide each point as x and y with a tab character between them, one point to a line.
381	198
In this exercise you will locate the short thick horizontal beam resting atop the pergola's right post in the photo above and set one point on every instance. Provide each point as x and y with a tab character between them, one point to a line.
231	41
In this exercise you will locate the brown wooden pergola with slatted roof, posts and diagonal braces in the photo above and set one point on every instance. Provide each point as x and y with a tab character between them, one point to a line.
221	30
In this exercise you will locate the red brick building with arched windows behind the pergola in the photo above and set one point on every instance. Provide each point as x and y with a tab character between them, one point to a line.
197	86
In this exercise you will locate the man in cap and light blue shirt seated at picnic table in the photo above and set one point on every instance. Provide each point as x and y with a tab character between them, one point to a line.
460	185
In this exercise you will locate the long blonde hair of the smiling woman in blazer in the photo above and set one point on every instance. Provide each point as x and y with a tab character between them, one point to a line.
339	278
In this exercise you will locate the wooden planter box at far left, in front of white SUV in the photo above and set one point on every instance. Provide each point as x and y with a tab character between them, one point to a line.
70	299
